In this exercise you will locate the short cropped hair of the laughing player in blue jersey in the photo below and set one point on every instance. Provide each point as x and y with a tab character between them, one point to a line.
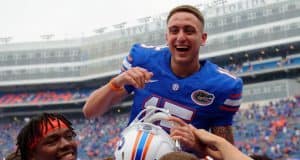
187	8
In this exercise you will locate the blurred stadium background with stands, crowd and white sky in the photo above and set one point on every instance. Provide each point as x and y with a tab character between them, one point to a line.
56	69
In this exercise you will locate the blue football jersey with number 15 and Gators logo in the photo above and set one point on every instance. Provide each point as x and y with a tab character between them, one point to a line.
209	97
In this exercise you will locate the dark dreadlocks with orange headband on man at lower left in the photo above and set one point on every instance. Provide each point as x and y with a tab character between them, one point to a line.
32	130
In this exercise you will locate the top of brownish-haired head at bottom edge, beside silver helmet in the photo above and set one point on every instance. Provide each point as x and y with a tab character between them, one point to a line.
178	155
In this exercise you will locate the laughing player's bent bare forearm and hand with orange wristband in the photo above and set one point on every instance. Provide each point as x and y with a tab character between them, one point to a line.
103	98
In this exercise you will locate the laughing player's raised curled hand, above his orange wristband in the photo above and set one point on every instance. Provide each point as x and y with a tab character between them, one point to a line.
135	76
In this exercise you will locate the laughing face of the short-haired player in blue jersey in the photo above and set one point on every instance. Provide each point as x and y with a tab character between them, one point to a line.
184	37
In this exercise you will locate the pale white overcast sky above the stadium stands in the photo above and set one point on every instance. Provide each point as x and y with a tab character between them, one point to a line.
27	20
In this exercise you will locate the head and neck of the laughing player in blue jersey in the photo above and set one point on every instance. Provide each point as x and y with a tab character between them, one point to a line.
185	34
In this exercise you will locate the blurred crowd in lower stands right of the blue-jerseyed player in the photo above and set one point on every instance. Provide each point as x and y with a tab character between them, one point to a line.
272	129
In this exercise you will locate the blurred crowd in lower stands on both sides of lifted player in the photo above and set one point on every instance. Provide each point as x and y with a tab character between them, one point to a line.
272	129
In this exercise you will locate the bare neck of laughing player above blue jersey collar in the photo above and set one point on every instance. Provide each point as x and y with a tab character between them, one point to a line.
184	70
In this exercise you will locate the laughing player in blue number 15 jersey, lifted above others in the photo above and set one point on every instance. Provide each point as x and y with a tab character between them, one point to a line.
172	77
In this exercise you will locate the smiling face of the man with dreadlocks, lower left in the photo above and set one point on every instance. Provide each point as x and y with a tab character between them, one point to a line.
58	144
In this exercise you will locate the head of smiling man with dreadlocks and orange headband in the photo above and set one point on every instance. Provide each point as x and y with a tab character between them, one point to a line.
47	137
